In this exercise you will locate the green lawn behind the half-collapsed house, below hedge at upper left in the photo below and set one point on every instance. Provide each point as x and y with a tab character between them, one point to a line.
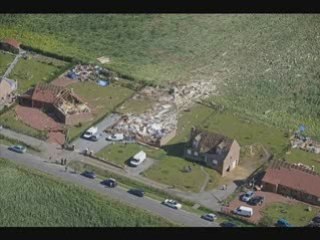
32	71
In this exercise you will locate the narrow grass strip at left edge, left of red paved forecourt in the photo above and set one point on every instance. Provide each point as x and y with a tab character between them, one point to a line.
9	119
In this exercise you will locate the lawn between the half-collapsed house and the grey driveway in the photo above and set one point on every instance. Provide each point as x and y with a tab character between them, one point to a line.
102	100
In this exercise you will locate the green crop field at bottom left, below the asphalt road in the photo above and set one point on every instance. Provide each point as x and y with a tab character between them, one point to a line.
29	198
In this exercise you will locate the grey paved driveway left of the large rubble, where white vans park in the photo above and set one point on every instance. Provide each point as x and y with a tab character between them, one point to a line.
81	144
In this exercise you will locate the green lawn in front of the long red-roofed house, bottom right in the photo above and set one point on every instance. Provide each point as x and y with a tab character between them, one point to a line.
295	214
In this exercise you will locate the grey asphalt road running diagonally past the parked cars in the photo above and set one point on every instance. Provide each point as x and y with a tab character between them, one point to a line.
177	216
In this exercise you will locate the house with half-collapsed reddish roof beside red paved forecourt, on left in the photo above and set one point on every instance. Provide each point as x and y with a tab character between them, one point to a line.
61	102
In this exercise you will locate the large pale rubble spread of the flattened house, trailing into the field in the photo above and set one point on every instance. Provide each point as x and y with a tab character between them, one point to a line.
161	119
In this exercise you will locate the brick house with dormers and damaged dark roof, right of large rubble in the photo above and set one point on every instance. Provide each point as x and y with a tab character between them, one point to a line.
213	150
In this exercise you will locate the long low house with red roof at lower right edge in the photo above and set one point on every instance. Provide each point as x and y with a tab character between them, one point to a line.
292	180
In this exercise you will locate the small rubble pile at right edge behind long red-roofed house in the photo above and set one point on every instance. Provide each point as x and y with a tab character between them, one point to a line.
305	143
